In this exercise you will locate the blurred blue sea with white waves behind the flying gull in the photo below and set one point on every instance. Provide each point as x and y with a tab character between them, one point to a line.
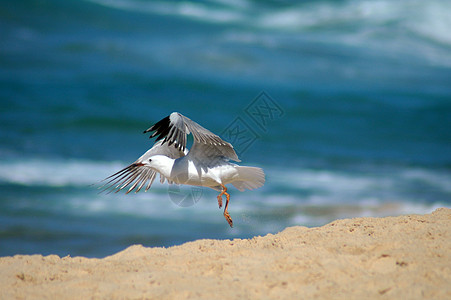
346	105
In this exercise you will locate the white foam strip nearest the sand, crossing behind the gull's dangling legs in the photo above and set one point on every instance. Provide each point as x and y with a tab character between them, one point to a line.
265	212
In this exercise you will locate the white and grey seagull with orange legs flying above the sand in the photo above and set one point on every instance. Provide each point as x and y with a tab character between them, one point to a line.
206	164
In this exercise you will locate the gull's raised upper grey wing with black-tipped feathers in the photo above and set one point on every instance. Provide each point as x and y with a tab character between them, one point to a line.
174	128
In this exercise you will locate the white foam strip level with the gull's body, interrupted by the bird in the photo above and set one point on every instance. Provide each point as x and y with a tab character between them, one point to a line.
318	182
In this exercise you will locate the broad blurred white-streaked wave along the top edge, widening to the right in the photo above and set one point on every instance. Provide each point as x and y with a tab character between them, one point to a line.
394	27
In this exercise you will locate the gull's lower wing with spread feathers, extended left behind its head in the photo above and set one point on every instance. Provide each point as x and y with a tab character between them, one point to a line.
139	173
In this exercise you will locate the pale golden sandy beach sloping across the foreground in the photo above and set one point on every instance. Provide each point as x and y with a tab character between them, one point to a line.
405	257
